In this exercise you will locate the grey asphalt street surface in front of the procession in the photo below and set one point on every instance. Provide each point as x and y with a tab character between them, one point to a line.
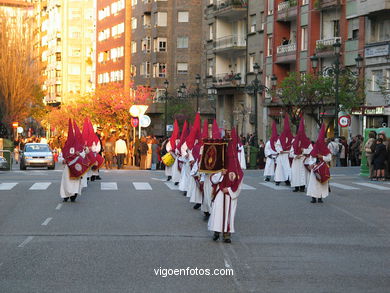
123	228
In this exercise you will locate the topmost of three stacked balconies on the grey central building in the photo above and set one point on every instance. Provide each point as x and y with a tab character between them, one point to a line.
231	9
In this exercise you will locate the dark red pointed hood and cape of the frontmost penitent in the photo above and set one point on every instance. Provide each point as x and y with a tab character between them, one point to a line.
234	174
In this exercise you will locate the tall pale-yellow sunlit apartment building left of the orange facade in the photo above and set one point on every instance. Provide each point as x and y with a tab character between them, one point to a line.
70	49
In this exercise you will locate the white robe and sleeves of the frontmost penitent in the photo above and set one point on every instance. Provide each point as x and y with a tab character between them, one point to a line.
223	208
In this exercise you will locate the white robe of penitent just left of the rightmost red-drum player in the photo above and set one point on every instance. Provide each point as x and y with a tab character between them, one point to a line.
299	173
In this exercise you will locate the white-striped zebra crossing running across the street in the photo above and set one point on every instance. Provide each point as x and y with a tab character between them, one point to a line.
157	185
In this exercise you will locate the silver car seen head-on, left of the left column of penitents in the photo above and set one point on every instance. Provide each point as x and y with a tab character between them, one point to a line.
37	155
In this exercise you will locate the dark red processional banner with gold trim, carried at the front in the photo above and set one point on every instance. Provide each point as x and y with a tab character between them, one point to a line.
213	156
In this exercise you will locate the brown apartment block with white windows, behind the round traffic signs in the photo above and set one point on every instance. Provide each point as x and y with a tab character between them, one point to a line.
165	46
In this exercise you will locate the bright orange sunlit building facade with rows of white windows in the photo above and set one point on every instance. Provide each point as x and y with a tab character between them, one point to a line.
113	29
